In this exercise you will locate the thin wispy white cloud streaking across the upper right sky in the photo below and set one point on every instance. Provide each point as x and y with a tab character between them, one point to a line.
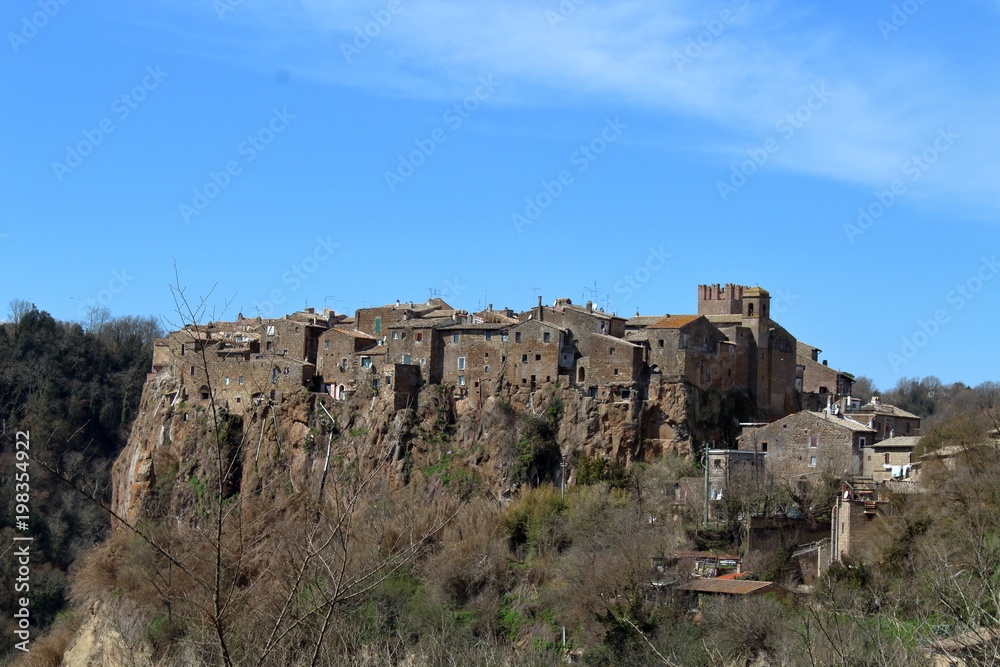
761	65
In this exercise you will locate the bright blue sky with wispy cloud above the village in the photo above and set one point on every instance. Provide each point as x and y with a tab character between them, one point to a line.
843	156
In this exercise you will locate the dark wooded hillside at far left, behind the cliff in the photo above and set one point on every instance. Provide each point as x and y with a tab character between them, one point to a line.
76	390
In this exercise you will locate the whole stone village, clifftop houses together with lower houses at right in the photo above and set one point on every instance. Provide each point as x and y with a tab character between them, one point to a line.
797	418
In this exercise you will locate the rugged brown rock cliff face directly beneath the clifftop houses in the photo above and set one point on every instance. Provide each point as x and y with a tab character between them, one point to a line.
514	437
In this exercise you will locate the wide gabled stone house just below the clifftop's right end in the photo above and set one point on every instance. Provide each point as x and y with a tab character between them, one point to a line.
806	444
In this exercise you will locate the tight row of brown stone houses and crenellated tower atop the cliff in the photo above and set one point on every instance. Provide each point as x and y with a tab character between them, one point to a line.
731	344
